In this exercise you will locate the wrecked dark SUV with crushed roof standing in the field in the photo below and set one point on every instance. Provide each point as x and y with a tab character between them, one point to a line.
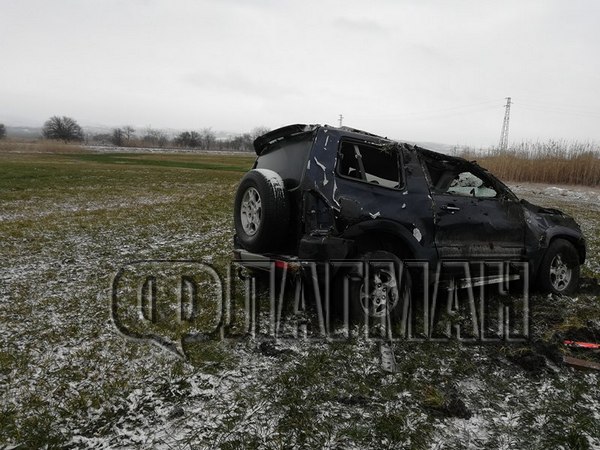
322	193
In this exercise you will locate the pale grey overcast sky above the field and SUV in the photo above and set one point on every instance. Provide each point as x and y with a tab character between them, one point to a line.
422	70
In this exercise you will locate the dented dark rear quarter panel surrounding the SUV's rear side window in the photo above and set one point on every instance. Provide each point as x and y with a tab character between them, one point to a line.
355	209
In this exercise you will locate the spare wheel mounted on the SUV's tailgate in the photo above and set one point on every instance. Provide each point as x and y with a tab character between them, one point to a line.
261	214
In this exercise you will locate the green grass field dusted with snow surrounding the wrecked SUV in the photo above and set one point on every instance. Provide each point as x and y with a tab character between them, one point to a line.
70	220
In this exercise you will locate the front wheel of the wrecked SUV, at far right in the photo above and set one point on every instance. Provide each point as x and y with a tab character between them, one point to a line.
559	271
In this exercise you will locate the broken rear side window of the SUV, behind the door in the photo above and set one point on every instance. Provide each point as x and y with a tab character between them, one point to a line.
370	164
